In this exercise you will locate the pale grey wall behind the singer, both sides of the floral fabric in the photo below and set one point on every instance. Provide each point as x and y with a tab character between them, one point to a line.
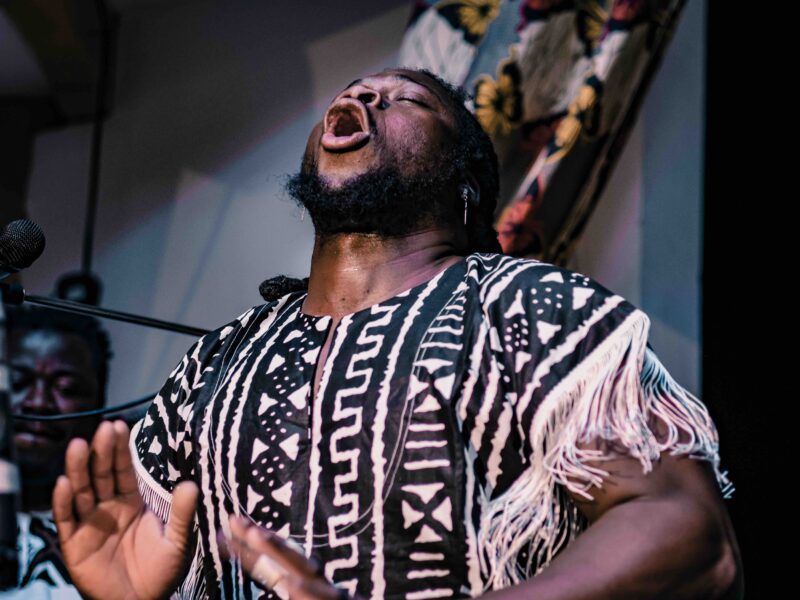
214	102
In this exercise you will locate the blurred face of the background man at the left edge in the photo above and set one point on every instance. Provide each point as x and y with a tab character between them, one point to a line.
51	373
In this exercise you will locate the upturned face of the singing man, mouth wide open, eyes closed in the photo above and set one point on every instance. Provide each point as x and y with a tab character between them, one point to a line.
395	117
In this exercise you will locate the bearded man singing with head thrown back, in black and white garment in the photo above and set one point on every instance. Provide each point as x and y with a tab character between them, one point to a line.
427	418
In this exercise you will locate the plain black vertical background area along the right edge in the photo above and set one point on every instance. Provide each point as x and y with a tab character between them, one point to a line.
747	297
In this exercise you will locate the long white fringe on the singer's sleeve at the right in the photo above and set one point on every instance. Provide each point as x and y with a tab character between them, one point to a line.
614	394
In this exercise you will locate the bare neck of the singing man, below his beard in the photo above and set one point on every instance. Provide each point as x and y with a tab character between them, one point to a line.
350	272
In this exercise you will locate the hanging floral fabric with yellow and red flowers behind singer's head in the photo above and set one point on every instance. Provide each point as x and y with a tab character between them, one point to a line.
556	84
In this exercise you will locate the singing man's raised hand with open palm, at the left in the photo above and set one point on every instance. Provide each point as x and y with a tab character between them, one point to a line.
113	546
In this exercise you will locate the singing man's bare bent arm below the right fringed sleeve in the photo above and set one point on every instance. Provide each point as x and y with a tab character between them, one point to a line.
665	534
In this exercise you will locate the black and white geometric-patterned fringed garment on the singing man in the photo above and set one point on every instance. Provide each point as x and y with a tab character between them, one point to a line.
431	464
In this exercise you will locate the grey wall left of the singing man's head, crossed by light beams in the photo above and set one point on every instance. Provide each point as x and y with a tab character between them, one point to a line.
214	103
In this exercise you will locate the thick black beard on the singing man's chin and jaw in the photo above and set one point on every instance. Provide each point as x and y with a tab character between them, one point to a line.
382	201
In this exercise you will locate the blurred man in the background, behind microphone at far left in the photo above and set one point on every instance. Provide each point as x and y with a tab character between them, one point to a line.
58	365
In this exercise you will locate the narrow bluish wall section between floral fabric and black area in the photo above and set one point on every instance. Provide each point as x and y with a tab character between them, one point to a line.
645	239
